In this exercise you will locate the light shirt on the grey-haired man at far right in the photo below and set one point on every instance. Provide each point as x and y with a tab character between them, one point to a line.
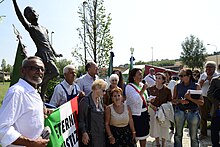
206	84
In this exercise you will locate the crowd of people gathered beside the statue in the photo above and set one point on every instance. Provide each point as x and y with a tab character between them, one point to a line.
115	113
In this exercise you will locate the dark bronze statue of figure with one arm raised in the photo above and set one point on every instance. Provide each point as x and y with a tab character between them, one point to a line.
39	35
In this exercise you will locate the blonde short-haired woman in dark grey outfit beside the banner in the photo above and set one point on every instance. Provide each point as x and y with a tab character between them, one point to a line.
91	117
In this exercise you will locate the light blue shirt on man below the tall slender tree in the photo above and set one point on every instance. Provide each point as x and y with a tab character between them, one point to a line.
85	83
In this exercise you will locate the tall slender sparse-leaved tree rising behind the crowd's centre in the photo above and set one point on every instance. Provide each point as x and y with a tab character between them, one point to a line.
98	40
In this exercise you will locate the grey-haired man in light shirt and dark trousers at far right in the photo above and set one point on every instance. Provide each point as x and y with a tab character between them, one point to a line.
204	81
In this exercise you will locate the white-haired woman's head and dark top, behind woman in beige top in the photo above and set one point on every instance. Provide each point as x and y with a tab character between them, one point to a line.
113	79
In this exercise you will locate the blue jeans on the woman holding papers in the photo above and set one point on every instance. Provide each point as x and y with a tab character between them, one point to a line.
193	121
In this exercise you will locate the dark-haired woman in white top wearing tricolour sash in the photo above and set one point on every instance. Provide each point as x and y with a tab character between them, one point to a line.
136	96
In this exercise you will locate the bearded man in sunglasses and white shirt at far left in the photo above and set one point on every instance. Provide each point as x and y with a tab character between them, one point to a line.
22	116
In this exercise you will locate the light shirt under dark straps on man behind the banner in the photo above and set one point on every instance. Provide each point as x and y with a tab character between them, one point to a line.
59	95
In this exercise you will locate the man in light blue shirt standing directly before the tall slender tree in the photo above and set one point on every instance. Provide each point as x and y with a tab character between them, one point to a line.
85	81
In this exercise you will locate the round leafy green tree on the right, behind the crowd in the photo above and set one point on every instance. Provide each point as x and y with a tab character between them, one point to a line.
194	52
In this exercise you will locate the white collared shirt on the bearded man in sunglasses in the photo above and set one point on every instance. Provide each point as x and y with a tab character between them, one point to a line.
21	113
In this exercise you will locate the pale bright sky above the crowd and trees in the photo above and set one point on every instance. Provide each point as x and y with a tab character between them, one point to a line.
142	24
